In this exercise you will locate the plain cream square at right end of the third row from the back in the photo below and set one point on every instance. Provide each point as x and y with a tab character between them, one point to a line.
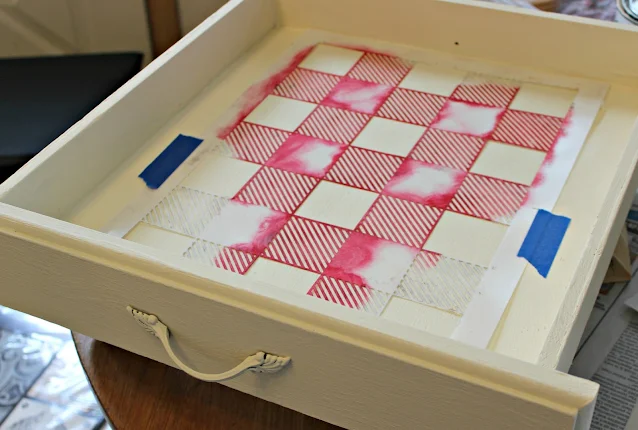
509	162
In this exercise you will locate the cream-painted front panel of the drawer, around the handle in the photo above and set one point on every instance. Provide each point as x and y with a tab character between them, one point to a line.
394	382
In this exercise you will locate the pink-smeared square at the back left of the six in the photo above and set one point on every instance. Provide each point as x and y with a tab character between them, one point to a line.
358	96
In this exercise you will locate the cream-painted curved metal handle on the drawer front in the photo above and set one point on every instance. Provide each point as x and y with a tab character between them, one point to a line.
260	362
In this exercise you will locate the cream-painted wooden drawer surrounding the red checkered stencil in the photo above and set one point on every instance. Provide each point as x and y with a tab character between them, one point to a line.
349	368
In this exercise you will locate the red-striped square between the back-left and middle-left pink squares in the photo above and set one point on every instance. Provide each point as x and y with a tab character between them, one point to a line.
336	125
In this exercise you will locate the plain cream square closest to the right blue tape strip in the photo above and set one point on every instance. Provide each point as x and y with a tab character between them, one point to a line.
466	238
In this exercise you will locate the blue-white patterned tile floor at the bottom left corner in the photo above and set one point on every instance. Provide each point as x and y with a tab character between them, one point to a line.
42	384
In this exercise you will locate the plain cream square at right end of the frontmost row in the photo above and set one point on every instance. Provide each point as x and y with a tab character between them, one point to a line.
420	316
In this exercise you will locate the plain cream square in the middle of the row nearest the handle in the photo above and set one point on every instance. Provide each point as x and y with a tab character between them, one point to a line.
285	276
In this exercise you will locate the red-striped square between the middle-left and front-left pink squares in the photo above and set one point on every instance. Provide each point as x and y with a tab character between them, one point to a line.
277	189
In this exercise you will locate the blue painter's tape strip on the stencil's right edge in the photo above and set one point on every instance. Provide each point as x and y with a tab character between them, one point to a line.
543	240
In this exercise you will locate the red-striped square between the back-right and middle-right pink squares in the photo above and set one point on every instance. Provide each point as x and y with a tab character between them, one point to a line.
448	149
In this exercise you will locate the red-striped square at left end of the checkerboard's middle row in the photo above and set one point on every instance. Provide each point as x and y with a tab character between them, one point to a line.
255	143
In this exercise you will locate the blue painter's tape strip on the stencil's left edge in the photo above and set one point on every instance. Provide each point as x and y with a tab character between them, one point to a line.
170	159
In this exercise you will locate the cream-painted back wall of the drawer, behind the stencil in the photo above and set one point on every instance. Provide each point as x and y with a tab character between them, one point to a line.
477	29
